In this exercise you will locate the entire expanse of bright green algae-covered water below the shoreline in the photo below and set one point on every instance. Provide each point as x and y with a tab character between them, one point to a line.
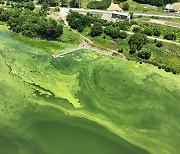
124	107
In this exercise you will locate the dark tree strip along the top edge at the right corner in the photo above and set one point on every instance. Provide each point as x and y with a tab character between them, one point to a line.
156	2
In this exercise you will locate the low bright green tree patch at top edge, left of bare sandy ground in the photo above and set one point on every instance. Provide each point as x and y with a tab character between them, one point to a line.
103	4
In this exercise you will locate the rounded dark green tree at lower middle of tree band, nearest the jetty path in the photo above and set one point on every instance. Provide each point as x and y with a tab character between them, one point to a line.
96	29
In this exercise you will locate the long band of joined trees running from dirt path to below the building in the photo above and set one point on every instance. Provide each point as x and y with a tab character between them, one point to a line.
79	22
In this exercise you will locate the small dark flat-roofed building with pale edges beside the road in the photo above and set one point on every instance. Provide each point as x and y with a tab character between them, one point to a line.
120	15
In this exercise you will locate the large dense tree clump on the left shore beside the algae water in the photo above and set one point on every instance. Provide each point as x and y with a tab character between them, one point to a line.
31	24
